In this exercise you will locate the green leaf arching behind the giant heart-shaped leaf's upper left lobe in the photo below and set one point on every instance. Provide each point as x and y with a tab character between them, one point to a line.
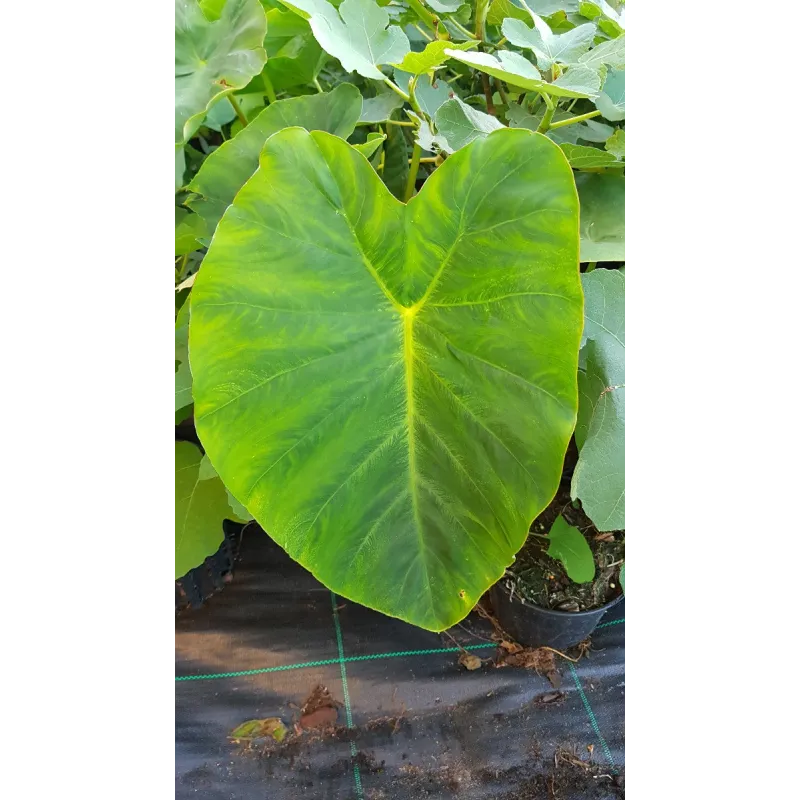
224	171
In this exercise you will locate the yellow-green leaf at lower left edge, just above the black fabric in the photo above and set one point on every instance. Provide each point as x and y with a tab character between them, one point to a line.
198	510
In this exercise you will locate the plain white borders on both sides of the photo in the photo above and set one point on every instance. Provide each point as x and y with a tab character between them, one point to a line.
85	400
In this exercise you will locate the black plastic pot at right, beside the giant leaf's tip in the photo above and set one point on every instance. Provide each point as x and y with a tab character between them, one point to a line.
533	626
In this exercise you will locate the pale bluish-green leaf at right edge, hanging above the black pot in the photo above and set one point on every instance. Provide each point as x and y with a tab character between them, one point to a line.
600	474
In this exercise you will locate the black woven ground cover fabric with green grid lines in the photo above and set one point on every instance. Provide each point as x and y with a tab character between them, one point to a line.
413	723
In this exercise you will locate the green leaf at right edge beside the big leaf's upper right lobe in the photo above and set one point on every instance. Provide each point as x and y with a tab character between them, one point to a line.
604	203
